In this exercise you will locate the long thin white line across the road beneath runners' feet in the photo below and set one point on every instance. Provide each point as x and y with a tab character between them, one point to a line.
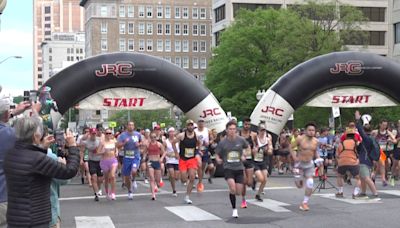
163	193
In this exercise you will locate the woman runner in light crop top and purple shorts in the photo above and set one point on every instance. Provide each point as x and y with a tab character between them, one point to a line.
109	162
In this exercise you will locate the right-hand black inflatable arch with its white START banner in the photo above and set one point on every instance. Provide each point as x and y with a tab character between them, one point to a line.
379	77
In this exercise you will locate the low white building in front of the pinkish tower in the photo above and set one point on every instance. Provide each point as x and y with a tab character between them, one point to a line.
63	50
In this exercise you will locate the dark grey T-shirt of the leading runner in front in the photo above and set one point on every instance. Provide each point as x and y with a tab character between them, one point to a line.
230	151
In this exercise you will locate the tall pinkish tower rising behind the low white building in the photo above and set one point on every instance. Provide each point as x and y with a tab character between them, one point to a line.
50	16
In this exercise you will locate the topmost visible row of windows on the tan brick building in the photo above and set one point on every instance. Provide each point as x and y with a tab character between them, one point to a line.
161	12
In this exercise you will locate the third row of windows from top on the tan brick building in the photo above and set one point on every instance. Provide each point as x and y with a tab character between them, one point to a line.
160	45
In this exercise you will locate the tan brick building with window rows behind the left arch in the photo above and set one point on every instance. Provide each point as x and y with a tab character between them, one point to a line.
178	31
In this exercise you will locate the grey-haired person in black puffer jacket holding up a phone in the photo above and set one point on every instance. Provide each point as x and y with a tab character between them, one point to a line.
29	172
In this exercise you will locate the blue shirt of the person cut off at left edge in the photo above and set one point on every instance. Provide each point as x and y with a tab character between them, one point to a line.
7	142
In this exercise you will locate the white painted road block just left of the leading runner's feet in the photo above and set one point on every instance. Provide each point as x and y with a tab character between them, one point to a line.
192	213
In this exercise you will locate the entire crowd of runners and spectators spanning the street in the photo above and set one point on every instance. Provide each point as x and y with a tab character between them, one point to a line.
32	170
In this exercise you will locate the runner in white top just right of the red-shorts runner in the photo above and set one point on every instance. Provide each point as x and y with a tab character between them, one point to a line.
203	135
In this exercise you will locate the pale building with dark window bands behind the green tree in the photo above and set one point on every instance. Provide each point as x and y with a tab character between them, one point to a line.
379	13
